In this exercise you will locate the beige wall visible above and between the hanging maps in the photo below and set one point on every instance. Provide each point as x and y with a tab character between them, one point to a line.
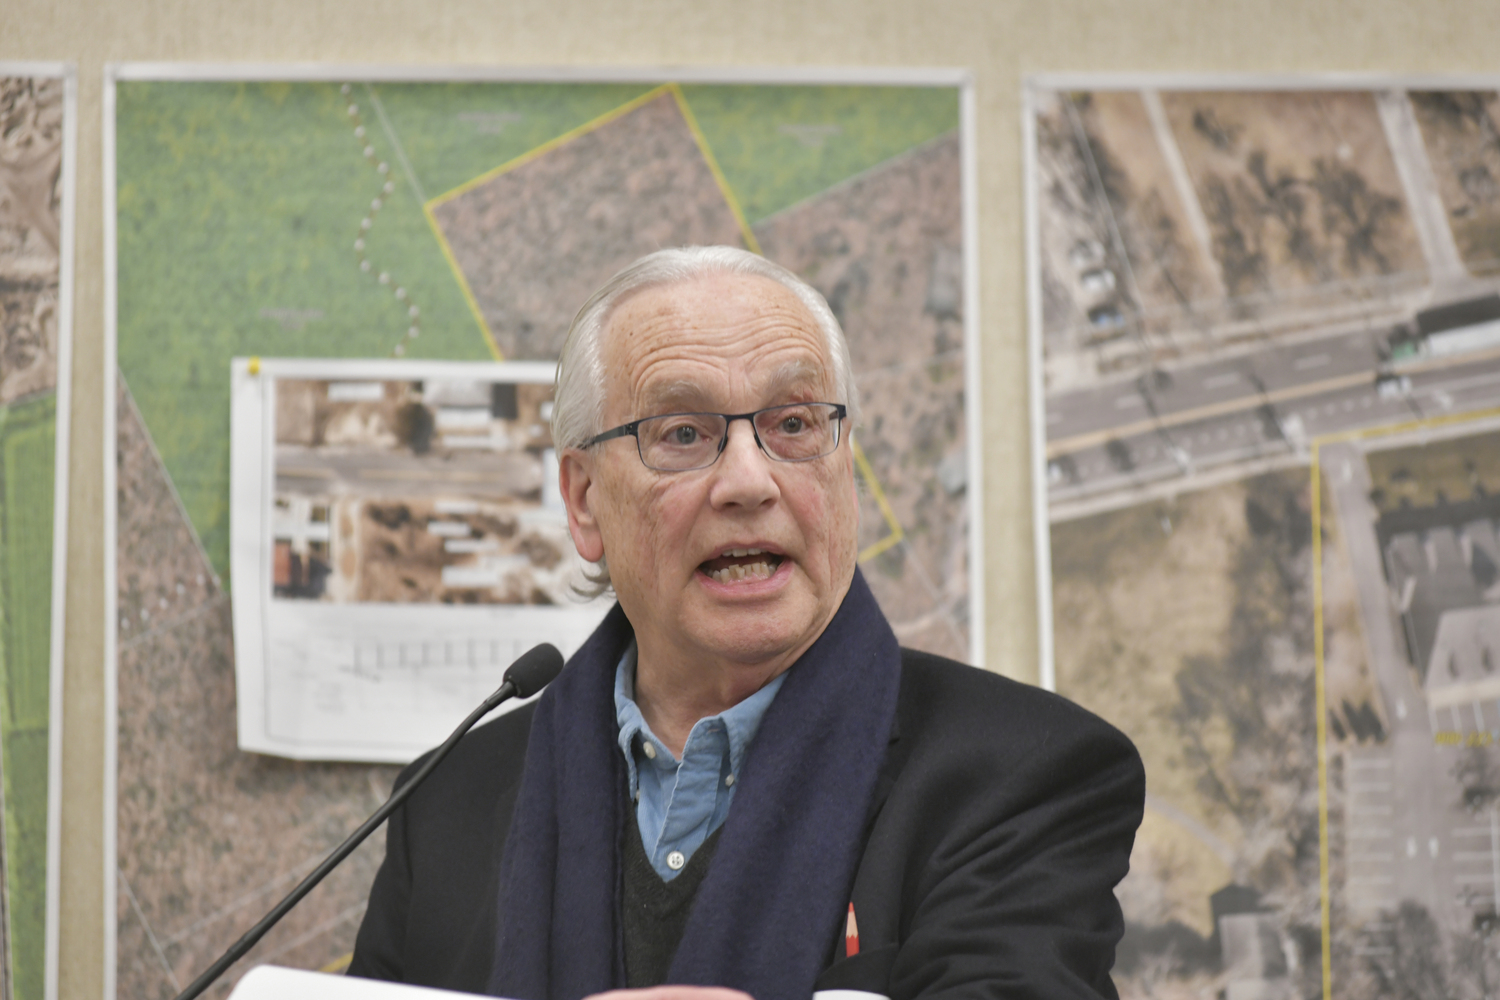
1000	40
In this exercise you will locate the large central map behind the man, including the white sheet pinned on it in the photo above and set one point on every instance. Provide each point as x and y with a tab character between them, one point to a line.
434	217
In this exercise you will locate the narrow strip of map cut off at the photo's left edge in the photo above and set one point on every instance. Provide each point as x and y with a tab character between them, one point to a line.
37	112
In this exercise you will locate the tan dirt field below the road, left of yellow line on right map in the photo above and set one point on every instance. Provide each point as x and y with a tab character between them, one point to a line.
1189	624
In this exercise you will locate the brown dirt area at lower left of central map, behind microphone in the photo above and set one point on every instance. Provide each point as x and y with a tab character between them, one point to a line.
209	834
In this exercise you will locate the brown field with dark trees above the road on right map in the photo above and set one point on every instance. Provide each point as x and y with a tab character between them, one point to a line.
1178	223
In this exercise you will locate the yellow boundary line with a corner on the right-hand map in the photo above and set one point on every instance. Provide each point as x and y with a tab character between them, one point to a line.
1318	650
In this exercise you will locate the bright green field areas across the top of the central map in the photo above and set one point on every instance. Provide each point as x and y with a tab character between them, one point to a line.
239	206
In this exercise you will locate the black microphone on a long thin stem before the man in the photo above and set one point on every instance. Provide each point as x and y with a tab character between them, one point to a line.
526	677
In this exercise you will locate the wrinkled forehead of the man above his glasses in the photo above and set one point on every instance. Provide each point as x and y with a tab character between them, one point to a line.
713	343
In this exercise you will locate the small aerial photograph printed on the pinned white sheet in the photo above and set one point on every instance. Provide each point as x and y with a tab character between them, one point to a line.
412	452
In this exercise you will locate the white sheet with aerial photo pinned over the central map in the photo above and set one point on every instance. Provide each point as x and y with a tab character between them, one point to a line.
395	546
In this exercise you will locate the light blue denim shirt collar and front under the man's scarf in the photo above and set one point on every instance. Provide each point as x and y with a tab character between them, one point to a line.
680	803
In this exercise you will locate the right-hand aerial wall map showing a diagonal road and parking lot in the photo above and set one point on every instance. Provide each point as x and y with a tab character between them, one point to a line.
1270	334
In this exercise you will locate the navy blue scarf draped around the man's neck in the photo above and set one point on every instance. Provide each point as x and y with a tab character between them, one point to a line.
773	903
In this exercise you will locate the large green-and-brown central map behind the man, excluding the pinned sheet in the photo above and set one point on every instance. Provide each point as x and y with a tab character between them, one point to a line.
464	221
